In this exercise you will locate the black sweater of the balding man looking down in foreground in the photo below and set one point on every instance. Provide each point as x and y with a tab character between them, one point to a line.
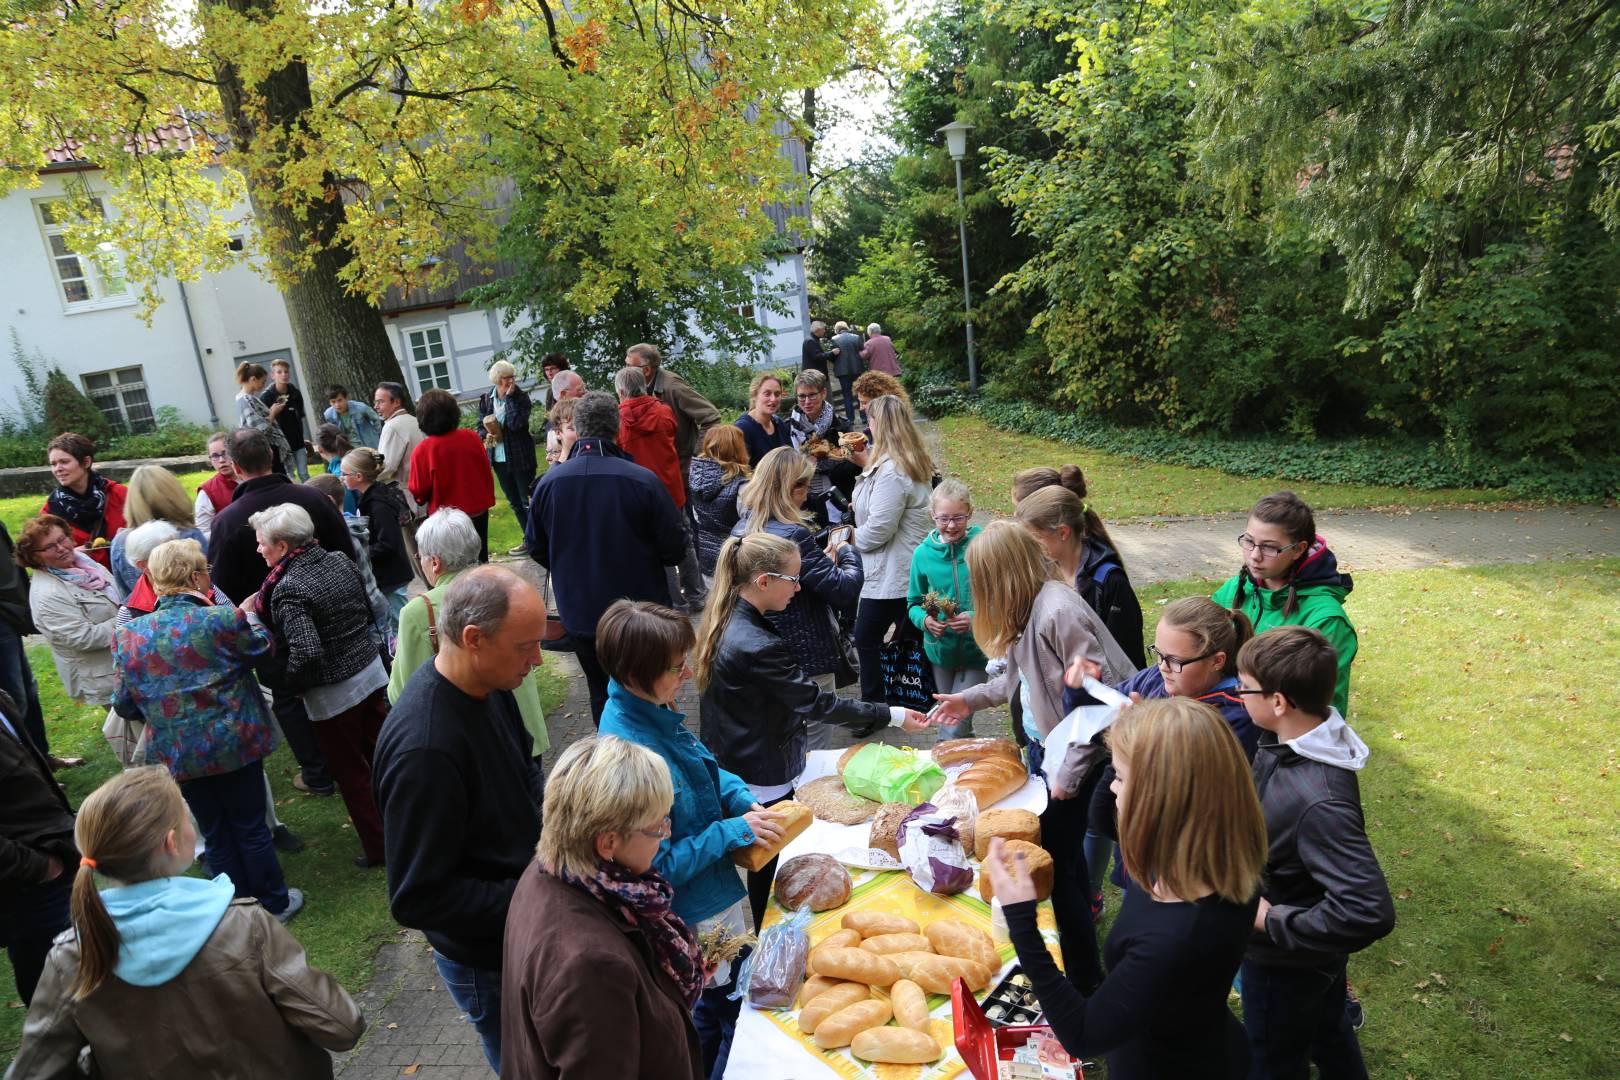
459	793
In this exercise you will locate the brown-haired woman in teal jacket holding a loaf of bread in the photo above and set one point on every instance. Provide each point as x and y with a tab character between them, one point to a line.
644	648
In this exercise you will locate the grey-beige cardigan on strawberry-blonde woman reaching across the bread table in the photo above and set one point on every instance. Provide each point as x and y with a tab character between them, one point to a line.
1060	629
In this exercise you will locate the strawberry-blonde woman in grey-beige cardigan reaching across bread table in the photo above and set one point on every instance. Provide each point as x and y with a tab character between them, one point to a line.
1028	614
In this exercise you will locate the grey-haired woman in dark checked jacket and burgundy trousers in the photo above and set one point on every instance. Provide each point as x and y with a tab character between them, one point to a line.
315	605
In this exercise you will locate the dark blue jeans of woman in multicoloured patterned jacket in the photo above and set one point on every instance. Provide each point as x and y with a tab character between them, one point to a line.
229	809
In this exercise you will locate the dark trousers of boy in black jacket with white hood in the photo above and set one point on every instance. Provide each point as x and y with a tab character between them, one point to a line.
1295	1018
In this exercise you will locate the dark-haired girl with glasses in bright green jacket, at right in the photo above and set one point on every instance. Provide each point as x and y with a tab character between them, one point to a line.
1292	579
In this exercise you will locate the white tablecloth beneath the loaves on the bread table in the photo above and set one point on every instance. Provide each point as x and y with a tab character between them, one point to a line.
761	1050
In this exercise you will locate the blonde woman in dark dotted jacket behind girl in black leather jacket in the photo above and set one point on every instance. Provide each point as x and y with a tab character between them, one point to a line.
830	577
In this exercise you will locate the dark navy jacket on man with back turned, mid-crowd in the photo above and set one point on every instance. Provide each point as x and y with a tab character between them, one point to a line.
607	529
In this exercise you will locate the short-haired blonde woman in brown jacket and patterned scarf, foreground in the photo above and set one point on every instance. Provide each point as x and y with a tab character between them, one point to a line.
600	976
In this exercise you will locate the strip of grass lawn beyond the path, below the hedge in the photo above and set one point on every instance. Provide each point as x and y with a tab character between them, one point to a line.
987	459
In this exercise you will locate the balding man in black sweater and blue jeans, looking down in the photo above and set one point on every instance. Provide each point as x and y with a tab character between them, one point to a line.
459	789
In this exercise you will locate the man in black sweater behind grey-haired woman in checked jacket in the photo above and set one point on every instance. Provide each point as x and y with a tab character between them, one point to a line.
239	571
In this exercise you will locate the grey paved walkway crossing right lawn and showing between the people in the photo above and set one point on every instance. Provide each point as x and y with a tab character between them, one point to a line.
416	1027
